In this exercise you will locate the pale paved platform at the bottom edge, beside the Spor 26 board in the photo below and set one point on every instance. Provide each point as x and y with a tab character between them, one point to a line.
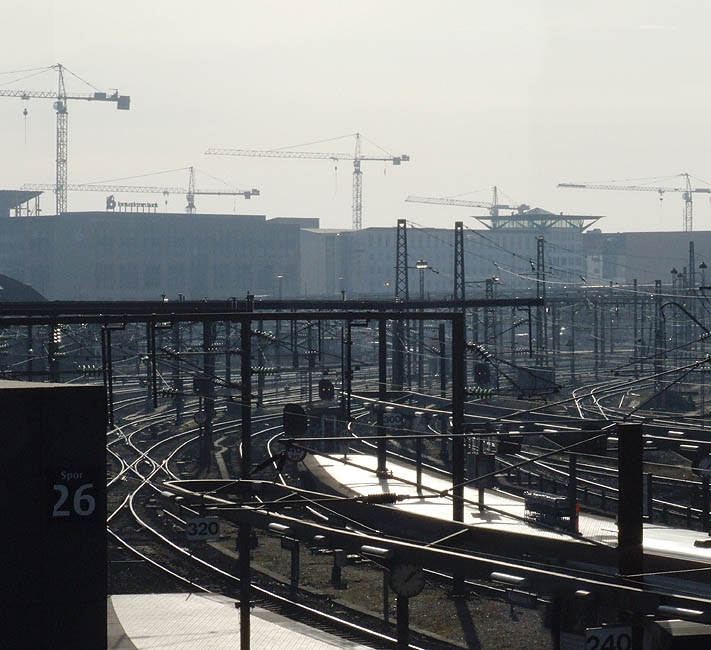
205	622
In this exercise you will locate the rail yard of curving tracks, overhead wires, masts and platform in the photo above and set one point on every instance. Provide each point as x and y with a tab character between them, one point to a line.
403	473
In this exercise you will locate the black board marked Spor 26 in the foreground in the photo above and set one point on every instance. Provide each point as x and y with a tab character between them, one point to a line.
53	463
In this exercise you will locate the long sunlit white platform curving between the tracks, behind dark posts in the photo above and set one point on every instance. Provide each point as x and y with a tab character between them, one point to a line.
356	473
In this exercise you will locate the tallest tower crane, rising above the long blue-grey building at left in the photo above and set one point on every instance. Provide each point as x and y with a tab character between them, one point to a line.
61	97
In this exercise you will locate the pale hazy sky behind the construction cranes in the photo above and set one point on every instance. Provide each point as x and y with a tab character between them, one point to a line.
518	94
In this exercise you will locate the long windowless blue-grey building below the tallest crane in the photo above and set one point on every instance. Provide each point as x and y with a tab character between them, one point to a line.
139	256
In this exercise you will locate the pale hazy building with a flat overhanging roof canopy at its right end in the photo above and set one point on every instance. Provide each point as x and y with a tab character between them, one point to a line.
362	262
